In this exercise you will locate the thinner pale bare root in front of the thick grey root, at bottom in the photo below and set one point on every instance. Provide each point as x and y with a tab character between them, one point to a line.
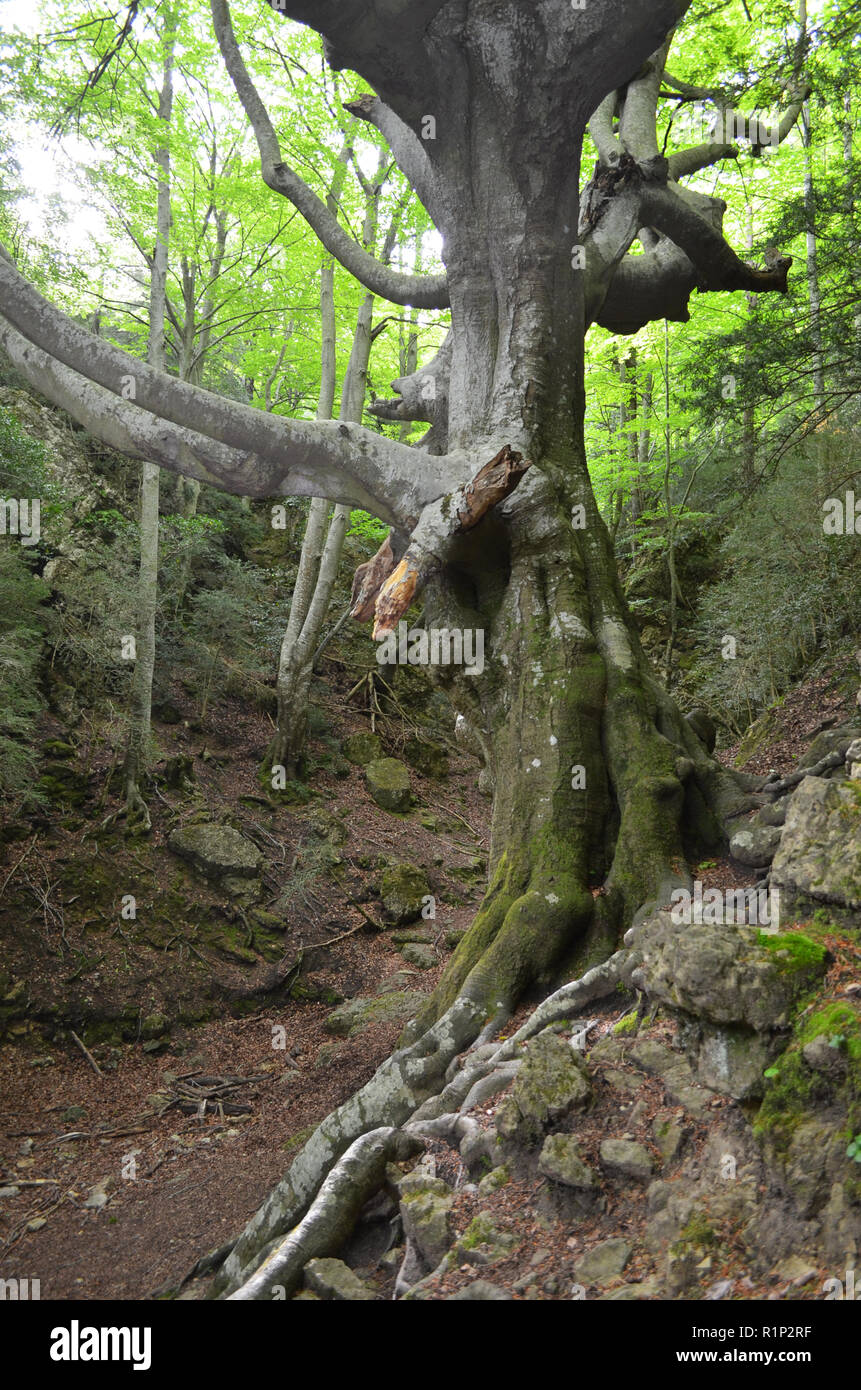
332	1216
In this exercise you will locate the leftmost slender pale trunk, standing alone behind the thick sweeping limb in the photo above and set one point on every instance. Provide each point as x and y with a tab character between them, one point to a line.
137	750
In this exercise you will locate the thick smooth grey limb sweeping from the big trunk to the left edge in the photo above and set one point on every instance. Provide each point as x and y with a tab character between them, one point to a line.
266	455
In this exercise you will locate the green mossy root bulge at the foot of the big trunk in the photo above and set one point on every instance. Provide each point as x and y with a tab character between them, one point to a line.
525	925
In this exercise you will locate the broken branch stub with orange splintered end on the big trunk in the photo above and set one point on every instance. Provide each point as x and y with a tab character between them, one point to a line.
437	529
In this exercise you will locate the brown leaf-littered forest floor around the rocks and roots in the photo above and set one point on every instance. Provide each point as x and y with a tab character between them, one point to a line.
109	1188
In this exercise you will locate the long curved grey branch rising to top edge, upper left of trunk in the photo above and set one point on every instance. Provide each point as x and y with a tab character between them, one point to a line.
419	291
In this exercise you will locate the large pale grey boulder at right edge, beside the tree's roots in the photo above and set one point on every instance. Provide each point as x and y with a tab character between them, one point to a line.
820	856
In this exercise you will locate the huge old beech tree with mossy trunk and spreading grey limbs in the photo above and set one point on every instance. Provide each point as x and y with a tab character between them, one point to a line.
602	787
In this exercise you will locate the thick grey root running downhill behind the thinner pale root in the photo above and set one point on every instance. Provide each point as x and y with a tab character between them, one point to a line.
392	1097
